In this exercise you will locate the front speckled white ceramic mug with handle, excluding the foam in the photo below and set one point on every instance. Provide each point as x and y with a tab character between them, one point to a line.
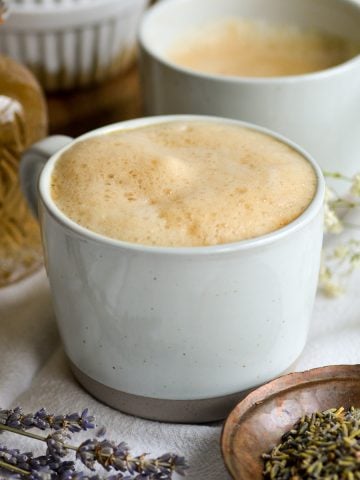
176	333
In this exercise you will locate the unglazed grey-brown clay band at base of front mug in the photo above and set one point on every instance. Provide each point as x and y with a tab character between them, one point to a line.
180	411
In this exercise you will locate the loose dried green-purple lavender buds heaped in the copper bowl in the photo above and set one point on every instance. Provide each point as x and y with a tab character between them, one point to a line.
324	445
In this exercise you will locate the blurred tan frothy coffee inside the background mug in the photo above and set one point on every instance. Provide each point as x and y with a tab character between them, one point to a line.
239	47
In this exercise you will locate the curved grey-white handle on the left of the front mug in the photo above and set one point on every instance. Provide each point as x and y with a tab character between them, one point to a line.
33	161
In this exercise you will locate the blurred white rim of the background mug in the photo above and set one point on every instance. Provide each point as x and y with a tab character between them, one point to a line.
238	79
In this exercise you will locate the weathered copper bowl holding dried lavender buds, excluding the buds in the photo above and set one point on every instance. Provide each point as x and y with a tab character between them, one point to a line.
257	423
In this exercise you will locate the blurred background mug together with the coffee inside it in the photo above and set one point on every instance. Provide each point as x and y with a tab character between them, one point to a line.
314	101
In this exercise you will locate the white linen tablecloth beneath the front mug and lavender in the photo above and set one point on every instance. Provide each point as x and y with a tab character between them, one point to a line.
34	372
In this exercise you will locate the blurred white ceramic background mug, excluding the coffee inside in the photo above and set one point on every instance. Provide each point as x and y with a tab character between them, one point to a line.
319	111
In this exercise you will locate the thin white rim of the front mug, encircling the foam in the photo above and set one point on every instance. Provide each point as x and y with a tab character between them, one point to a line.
312	209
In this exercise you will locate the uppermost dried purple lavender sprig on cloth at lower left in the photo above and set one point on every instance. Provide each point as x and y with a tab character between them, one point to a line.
42	420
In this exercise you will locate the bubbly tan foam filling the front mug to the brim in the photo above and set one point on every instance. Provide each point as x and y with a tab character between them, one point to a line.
183	184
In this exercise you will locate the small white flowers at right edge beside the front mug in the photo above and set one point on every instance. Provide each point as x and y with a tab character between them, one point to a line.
339	262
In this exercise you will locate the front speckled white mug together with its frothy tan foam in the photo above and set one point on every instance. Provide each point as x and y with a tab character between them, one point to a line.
176	314
